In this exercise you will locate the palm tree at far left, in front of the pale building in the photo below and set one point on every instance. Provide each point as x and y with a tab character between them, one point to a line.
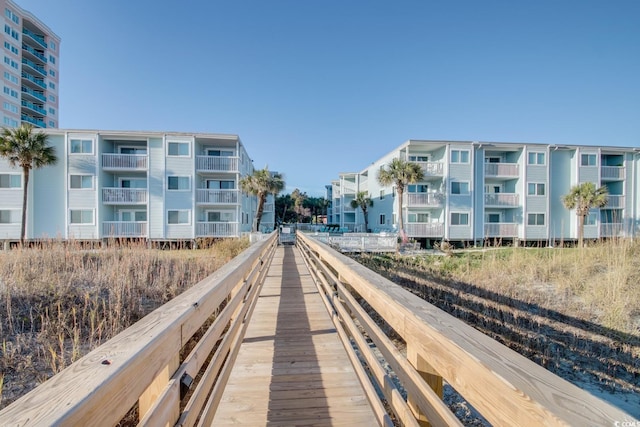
28	150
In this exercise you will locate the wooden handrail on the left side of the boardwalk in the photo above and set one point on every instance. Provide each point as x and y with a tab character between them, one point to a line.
142	364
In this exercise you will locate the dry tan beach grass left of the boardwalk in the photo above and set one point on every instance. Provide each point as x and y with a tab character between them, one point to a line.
60	300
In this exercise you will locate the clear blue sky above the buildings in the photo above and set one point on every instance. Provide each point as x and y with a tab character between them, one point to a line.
314	88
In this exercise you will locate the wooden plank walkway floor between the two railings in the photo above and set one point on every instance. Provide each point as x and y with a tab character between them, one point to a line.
292	368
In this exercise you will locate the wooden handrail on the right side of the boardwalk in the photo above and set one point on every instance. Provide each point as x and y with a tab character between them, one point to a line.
504	386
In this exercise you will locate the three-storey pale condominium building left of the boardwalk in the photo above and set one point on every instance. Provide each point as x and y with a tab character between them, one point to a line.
151	185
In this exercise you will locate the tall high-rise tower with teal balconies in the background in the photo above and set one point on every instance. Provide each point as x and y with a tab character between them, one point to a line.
30	73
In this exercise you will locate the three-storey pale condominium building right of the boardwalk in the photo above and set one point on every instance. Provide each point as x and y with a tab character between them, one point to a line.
474	191
